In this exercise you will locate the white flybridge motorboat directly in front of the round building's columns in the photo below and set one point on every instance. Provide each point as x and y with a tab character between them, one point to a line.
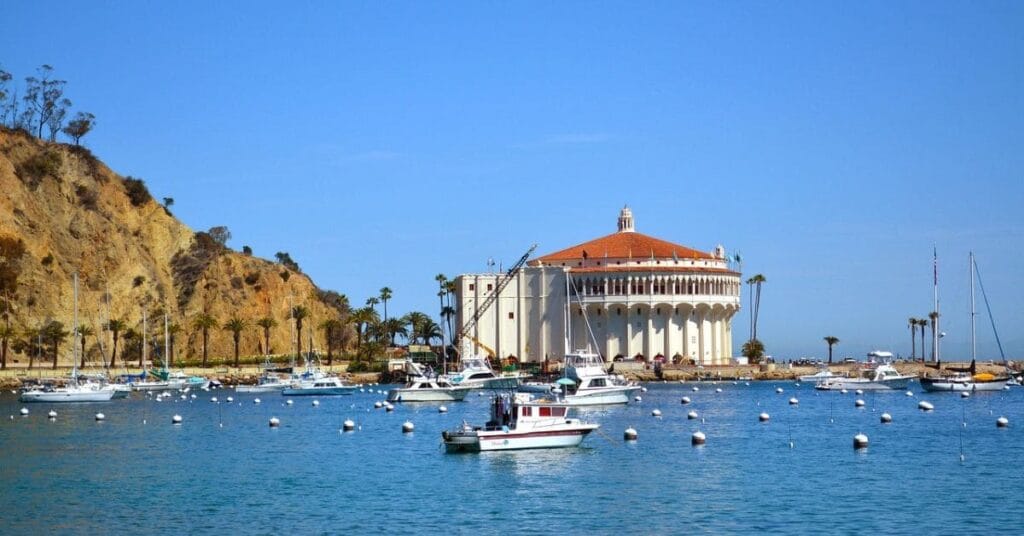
587	384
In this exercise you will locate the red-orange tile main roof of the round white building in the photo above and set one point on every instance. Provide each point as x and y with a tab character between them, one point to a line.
624	245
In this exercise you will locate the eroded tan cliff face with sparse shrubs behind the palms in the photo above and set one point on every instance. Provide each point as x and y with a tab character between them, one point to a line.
75	215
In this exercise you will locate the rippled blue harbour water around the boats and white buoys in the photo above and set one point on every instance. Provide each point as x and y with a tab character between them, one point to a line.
226	471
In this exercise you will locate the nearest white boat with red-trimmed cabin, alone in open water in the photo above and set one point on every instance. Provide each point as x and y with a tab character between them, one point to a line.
519	423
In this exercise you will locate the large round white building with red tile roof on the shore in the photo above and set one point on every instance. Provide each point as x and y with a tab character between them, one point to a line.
631	297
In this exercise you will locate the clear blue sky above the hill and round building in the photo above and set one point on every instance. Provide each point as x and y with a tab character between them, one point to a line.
832	144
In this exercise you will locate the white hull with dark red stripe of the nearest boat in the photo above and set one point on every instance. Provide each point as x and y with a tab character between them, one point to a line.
483	441
